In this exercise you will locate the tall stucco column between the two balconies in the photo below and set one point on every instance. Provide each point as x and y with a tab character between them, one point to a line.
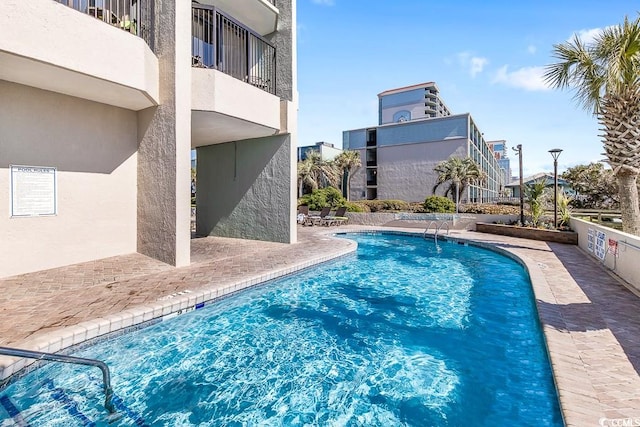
164	135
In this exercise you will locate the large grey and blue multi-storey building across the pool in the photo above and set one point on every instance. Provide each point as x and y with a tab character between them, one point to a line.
416	131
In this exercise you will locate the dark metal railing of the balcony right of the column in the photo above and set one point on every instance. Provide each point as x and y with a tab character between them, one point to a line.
222	43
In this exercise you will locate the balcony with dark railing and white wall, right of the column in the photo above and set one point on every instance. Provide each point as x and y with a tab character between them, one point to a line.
233	81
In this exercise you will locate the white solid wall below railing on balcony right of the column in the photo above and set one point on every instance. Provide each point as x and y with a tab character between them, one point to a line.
227	109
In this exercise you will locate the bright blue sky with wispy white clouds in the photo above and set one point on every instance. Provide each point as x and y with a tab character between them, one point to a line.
486	58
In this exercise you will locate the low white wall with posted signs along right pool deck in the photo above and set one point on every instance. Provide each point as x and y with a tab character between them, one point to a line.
623	261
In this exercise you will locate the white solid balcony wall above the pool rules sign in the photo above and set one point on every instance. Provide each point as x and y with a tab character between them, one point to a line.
50	46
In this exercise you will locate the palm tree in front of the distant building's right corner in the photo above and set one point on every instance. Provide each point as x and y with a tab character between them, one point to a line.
459	173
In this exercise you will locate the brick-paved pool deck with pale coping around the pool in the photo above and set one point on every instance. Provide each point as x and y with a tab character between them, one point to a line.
589	318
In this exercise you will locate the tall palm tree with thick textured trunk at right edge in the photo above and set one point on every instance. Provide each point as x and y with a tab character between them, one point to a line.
605	75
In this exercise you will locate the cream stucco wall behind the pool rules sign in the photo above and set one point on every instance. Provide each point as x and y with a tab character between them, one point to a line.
93	146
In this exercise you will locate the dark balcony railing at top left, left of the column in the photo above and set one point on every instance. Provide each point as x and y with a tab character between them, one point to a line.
133	16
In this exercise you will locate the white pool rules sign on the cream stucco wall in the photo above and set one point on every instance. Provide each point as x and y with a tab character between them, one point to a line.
33	191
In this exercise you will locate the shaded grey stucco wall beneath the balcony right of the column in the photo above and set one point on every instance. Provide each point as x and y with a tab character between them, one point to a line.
244	189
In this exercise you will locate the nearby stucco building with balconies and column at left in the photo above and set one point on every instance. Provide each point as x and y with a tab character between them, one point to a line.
101	102
